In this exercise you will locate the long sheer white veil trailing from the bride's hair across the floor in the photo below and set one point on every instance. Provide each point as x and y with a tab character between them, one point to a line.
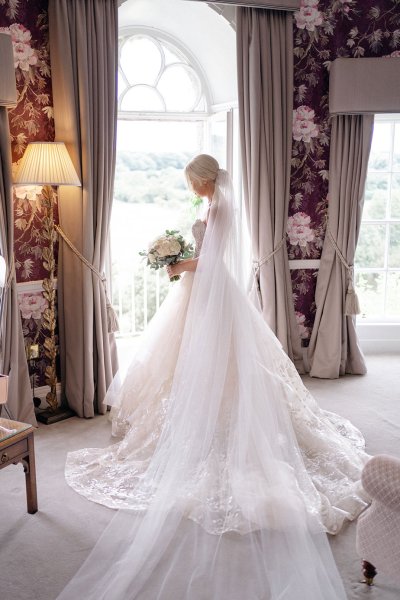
228	509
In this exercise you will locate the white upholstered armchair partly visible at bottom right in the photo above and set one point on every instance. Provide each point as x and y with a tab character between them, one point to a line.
378	528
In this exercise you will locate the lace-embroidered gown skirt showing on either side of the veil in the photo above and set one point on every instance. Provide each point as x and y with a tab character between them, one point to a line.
331	447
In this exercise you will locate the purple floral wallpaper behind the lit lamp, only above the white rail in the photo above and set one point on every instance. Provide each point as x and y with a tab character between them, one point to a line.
32	120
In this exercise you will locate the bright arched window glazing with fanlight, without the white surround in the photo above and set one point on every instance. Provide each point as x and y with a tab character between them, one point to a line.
163	108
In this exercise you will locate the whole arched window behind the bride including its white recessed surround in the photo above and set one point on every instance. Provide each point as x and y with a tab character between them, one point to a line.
177	97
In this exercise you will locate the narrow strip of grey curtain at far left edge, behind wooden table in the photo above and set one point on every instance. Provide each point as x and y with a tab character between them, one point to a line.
13	359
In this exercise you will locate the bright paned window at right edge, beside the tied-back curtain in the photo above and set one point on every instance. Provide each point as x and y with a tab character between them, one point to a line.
378	252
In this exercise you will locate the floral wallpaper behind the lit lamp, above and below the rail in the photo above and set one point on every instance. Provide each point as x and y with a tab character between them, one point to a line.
26	21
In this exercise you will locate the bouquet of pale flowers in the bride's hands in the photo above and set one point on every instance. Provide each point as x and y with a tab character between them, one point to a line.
167	249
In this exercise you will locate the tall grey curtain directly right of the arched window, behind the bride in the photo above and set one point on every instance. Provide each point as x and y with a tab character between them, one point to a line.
265	81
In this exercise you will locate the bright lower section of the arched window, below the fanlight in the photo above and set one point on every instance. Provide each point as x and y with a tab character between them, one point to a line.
150	195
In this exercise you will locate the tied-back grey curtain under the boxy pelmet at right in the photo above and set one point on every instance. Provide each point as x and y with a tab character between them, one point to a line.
334	348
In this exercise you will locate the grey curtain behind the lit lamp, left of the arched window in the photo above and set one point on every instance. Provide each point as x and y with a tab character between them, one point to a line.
83	47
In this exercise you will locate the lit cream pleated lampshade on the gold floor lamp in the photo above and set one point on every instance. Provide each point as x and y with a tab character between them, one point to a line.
46	163
